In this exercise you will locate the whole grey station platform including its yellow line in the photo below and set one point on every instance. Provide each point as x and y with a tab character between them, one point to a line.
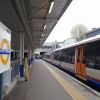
47	82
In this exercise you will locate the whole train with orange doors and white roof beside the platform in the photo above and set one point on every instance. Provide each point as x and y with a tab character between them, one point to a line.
81	59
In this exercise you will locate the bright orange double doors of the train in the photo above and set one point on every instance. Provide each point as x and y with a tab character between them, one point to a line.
79	64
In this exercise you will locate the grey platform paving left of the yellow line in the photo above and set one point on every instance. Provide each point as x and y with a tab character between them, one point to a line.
40	86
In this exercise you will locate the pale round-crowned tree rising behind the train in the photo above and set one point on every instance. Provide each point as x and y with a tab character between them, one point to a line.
78	32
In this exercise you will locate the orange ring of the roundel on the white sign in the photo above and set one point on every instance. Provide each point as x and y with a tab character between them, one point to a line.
4	60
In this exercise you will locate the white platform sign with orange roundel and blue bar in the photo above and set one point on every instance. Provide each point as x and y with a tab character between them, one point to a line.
5	48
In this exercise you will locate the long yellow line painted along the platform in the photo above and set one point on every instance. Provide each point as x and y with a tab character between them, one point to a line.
75	94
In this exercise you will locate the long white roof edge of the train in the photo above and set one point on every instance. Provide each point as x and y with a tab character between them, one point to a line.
89	40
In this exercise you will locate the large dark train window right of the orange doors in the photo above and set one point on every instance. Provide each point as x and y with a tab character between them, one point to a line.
92	55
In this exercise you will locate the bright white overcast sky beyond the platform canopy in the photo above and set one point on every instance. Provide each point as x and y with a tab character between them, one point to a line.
86	12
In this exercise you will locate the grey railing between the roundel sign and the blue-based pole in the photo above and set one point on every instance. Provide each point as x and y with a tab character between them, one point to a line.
10	75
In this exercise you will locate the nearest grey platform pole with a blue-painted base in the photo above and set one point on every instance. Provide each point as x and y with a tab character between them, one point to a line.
21	54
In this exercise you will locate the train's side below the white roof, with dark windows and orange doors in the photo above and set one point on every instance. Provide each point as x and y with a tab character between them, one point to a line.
89	56
